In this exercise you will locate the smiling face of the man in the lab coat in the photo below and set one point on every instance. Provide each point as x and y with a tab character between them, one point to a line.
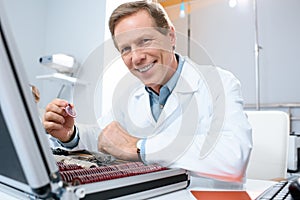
147	53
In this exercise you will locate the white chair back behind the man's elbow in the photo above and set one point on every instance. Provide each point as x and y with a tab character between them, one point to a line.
270	133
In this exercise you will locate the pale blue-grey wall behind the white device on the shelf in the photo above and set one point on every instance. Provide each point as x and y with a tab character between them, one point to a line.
74	27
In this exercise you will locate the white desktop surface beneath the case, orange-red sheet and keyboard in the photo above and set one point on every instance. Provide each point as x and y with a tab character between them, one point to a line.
253	187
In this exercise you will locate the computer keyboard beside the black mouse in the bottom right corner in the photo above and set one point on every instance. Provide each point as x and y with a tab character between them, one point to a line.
277	192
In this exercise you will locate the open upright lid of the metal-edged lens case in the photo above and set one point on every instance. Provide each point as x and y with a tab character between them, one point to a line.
23	143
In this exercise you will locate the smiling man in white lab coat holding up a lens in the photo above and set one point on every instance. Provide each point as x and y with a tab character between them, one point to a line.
180	115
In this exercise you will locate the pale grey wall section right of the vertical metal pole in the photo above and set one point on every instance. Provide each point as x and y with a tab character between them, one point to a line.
279	28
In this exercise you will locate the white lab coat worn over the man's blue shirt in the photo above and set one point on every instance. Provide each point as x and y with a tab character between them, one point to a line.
202	127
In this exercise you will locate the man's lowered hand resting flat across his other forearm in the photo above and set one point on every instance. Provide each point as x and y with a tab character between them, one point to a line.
117	142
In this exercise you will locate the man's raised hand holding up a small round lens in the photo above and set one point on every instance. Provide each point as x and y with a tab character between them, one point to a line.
57	122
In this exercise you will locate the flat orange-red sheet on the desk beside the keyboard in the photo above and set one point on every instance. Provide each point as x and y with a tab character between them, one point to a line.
224	195
